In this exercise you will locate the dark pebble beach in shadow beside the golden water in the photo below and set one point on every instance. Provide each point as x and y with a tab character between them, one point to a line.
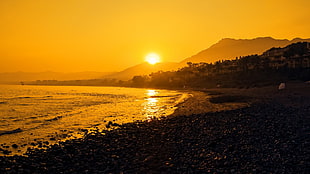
255	130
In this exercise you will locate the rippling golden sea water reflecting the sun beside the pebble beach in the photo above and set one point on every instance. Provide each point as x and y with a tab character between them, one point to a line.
32	115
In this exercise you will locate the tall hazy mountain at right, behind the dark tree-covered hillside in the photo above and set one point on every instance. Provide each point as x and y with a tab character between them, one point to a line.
231	48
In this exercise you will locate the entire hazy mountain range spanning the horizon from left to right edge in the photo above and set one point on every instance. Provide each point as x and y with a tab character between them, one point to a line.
227	48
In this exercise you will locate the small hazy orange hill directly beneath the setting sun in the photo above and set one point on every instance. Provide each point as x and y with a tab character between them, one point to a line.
144	69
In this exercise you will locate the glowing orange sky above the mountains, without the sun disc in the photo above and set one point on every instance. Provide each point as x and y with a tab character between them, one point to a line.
111	35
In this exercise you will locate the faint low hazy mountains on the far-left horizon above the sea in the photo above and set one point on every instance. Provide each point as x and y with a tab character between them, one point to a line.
16	77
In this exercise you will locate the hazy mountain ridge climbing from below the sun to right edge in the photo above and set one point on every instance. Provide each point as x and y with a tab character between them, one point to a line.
224	49
